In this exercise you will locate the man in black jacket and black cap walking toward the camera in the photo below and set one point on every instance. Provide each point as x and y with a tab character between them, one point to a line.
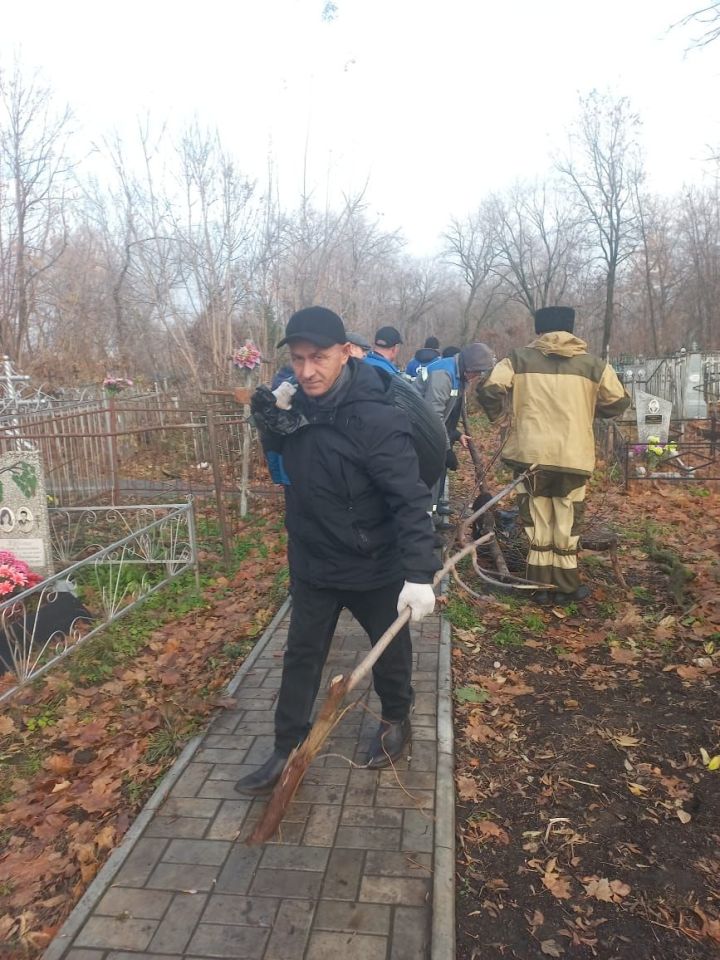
359	533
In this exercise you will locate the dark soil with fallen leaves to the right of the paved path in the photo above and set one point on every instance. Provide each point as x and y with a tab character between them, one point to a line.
587	741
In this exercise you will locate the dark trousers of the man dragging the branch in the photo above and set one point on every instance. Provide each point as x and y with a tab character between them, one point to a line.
313	619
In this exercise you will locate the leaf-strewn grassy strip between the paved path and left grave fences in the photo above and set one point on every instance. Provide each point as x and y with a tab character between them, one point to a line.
82	750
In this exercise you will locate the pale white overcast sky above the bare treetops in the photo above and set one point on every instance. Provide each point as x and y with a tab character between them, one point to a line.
434	104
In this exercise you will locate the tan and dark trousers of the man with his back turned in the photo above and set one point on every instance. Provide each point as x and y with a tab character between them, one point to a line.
552	505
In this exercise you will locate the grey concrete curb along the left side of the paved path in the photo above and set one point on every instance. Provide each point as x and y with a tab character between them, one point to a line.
63	938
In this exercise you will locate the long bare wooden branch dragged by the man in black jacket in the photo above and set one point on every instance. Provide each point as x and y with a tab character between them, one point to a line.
332	710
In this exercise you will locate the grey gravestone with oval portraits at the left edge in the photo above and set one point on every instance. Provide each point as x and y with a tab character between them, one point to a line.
24	523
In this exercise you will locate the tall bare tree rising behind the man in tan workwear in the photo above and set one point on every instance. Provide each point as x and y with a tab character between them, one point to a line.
603	167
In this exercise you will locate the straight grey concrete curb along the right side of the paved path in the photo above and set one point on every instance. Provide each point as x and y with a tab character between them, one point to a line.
443	923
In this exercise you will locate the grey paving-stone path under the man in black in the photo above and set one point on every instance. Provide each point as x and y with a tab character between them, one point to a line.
350	877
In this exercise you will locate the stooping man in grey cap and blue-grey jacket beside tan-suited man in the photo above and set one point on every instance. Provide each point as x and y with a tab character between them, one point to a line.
442	385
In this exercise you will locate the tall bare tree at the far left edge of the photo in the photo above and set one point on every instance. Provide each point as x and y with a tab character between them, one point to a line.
34	179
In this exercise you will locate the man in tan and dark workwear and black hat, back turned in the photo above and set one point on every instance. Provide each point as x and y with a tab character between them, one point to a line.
555	389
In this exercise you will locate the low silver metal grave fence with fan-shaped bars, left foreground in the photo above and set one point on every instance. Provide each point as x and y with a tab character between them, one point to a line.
42	625
